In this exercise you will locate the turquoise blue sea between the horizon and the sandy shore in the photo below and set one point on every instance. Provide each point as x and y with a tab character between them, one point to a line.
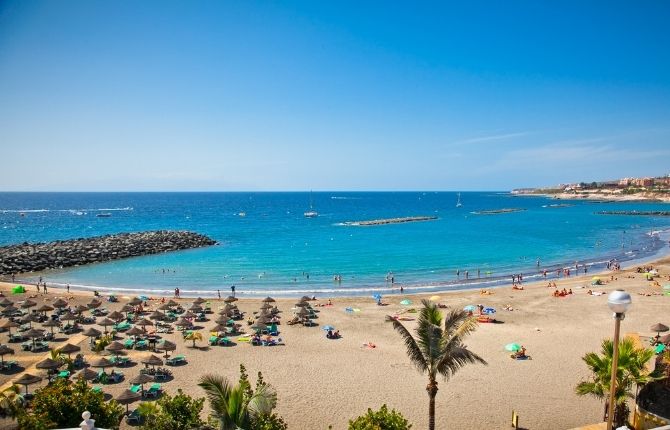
268	247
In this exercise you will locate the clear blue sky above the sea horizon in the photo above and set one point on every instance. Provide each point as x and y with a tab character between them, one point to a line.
323	95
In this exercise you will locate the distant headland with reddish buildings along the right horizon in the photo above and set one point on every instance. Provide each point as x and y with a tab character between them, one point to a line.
625	189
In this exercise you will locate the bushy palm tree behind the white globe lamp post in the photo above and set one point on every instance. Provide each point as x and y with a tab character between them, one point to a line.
631	369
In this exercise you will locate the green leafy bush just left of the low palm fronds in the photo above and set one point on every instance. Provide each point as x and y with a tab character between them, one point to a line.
181	412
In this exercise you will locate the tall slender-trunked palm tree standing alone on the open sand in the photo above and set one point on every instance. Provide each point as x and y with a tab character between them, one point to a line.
438	348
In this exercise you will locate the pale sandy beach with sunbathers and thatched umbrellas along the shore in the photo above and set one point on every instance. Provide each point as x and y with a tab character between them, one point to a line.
323	382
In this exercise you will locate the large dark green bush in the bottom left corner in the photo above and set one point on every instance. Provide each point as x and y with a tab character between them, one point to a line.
60	404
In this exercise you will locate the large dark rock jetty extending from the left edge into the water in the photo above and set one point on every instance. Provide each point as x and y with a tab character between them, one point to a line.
27	257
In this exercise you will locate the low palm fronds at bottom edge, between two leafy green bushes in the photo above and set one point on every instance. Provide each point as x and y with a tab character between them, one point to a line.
236	406
